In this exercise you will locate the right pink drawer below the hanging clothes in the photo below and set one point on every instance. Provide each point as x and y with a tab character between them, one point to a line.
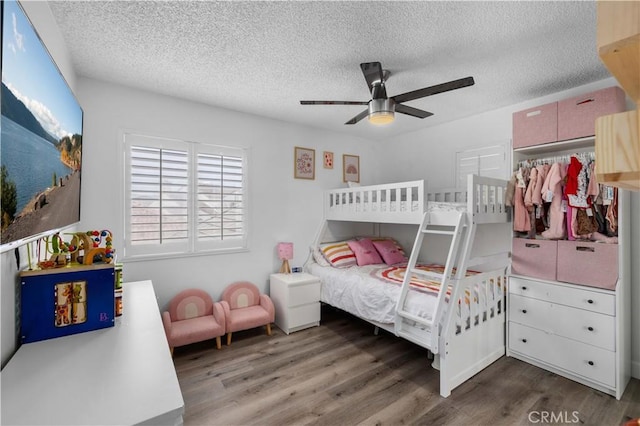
587	263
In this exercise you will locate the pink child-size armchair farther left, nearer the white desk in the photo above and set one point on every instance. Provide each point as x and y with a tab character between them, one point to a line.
193	317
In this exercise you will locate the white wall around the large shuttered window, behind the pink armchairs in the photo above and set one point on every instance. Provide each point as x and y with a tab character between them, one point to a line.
281	208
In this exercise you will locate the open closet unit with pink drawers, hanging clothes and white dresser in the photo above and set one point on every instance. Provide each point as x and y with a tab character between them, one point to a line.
569	289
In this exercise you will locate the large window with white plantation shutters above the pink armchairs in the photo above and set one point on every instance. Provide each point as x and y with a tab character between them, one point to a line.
183	197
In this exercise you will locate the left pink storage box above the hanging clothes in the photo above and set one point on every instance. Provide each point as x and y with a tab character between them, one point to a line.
535	126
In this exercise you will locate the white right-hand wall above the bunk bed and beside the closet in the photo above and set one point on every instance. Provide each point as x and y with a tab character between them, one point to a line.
430	154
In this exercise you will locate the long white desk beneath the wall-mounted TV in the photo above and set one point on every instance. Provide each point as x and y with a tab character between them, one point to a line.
119	375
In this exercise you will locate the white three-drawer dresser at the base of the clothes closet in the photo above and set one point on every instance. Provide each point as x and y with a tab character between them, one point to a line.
565	328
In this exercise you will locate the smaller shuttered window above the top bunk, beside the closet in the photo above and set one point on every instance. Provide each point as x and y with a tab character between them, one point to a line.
489	161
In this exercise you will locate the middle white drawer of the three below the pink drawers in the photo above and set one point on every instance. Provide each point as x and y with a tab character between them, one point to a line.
584	326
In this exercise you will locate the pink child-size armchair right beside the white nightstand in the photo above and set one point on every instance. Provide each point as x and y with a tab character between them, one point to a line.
244	308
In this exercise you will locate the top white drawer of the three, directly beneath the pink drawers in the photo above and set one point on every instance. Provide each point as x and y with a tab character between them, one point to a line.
595	301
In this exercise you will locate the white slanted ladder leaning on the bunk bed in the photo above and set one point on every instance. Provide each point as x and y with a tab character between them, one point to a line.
423	331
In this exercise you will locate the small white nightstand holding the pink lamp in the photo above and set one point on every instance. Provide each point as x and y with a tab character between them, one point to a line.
297	301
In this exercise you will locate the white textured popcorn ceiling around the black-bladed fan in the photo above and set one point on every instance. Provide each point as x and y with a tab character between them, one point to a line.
264	57
